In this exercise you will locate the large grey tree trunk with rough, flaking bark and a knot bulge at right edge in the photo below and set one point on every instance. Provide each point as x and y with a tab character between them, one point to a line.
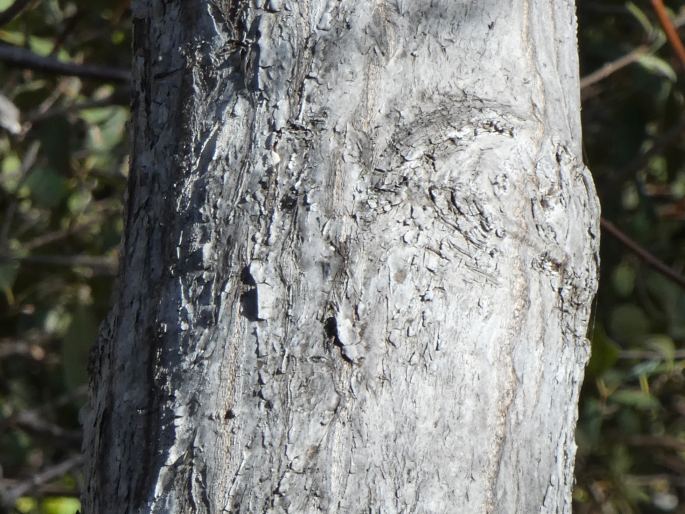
360	253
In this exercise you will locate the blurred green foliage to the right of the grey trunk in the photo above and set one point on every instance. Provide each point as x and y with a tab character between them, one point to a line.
631	433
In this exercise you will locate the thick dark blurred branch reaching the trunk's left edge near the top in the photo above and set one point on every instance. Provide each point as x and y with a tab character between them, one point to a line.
23	58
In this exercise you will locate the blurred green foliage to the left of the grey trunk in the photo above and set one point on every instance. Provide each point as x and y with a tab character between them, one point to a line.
62	182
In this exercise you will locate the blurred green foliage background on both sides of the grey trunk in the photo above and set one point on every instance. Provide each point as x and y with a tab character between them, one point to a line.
62	181
